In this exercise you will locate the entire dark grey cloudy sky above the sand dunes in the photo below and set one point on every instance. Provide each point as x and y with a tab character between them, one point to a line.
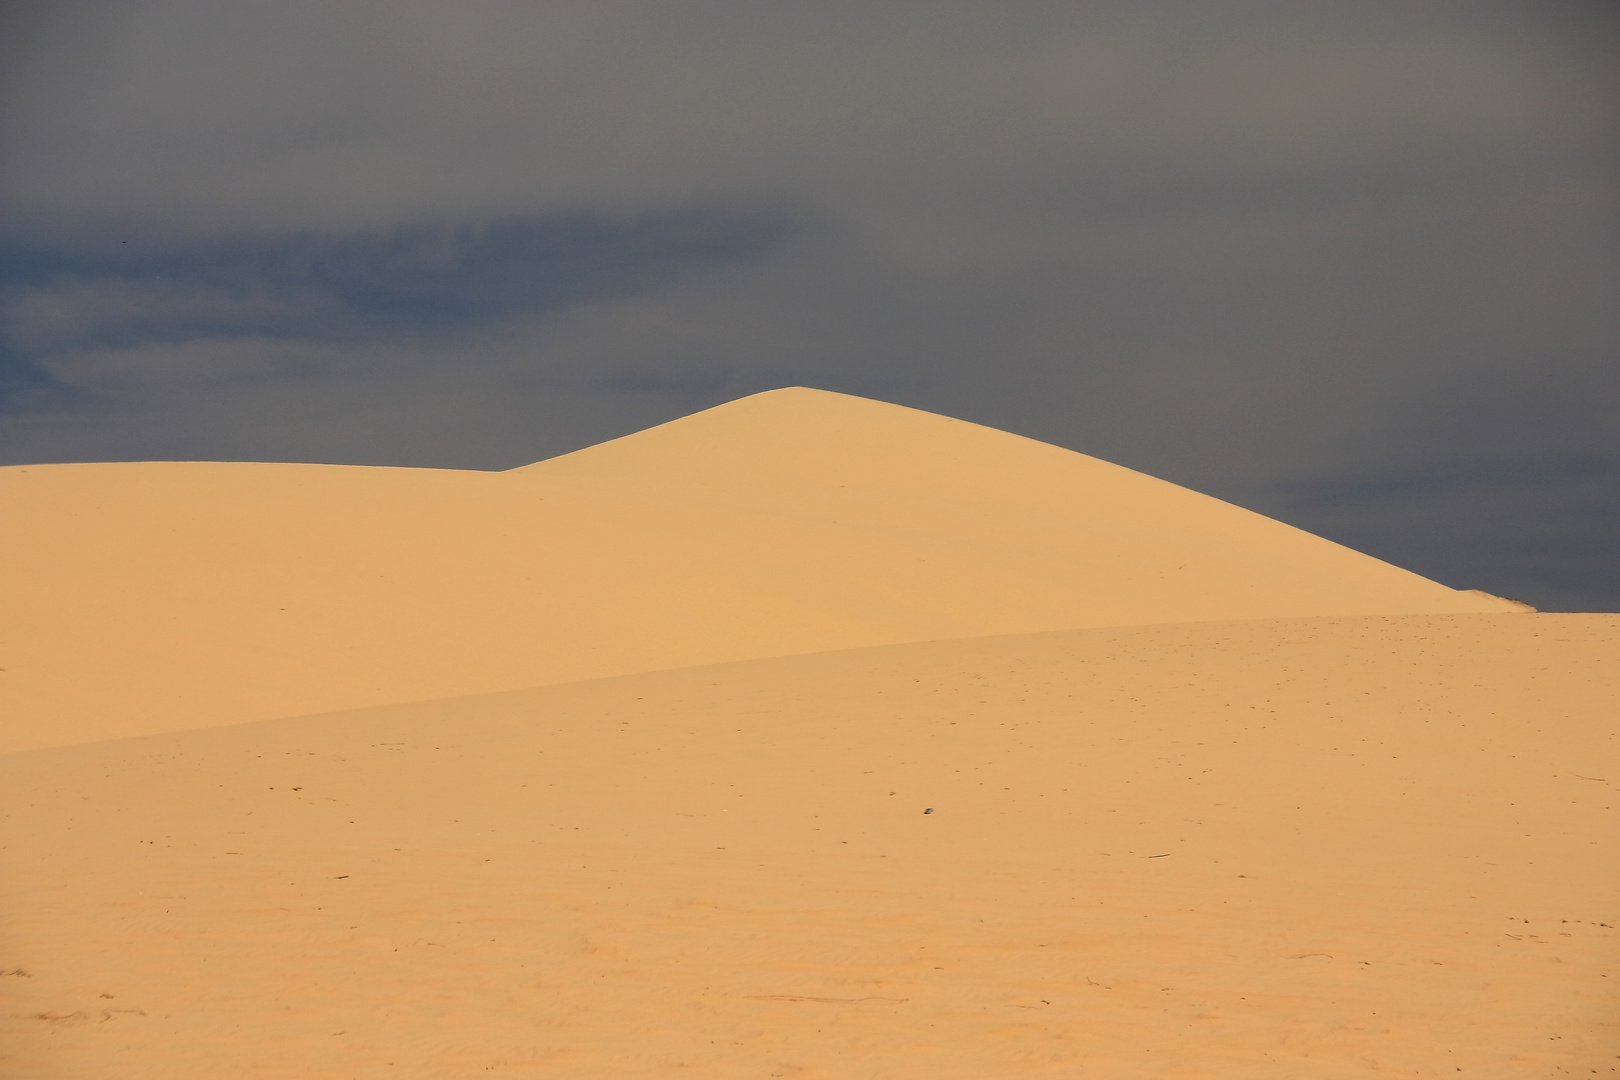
1355	266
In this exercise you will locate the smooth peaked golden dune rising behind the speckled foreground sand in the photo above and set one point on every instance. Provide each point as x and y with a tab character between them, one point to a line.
161	597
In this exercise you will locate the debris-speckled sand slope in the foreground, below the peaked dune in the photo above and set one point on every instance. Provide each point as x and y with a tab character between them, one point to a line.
1313	848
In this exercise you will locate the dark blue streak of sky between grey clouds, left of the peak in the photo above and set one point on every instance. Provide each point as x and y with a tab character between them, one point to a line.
412	278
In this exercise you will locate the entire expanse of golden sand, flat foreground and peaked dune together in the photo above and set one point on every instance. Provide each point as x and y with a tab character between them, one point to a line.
1240	840
